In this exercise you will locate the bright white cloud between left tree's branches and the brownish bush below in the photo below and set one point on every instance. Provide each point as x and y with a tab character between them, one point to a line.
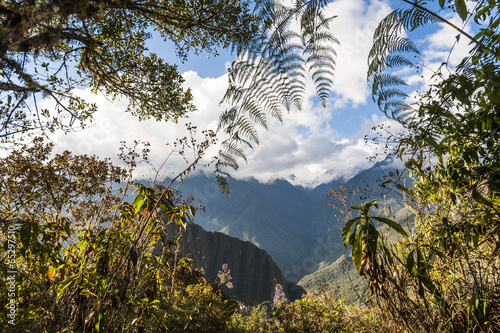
112	125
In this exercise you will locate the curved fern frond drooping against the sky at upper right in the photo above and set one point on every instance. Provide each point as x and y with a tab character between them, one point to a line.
392	47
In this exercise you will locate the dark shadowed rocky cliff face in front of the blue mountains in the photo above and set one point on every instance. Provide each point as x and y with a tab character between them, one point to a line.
254	273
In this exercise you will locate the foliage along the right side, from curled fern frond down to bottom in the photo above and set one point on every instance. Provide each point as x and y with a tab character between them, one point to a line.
443	276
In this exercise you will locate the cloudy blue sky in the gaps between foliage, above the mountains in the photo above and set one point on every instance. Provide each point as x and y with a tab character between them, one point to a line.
312	146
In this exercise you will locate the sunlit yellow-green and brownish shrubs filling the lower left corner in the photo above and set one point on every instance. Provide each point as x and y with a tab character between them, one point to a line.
85	261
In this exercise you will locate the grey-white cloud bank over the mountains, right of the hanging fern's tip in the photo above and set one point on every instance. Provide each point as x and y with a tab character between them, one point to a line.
313	160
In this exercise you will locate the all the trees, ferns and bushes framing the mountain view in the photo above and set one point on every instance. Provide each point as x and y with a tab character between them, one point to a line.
79	258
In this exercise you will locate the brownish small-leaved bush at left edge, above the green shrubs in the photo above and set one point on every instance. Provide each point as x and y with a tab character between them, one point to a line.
58	190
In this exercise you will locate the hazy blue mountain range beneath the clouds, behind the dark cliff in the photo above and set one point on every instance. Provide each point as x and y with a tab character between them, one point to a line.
294	225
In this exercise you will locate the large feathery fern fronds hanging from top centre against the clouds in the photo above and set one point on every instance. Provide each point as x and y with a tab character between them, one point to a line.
294	42
